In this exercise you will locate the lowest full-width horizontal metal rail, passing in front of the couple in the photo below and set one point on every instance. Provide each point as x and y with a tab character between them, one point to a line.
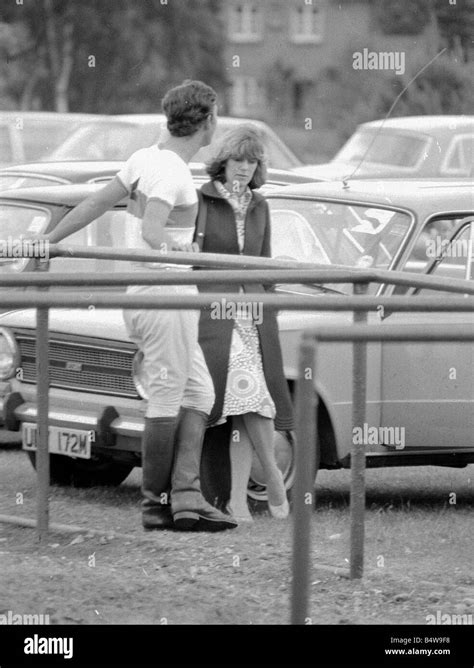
270	301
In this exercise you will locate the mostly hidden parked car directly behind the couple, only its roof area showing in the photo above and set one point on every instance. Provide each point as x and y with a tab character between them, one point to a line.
61	173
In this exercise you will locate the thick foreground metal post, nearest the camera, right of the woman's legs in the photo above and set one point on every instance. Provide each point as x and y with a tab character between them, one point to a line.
303	490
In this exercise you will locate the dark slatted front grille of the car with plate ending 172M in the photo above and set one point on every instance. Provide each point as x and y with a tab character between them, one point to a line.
86	367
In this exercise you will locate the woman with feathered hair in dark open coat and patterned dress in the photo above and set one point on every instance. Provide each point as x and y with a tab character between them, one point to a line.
243	351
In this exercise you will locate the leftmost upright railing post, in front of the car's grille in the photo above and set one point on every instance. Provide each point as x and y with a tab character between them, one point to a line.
42	452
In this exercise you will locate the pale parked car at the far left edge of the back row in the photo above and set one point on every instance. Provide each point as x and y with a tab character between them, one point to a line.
28	135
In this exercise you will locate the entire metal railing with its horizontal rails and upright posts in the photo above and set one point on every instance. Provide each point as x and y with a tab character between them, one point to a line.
246	270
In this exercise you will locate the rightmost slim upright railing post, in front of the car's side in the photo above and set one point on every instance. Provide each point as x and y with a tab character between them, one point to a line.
359	395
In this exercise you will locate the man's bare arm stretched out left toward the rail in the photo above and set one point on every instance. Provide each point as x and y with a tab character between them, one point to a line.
88	210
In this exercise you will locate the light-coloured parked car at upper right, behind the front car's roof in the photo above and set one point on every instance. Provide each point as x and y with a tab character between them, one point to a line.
414	146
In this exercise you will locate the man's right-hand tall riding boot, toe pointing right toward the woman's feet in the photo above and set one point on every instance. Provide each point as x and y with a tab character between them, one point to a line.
191	512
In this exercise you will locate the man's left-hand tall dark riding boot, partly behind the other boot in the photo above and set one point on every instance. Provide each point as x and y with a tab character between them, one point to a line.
157	464
